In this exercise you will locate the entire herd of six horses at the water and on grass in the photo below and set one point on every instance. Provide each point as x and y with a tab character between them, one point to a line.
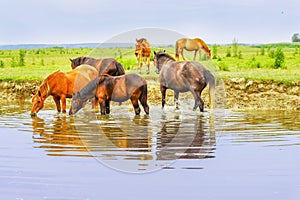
104	80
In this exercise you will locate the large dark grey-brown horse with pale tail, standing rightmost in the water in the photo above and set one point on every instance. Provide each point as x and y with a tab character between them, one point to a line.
183	77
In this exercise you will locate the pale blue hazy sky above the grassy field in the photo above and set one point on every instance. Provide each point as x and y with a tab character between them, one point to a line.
97	21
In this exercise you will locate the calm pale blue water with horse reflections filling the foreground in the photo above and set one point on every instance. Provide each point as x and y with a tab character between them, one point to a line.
166	155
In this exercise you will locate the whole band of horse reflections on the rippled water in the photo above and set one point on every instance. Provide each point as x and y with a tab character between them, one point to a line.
126	138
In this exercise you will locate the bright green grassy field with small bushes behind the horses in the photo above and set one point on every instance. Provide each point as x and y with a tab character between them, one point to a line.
255	62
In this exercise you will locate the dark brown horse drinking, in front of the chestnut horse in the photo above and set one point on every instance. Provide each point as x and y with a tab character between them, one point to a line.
113	88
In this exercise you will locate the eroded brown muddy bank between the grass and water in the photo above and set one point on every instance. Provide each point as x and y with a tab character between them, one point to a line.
241	94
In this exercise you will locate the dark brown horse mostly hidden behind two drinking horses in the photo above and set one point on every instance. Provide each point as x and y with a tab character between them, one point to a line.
104	66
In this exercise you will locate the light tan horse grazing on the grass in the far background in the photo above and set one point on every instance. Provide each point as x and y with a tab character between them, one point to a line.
195	44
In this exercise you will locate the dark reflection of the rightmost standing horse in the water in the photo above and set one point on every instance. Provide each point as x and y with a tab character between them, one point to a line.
180	140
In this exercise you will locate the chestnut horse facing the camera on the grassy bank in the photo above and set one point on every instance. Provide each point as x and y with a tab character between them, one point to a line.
142	53
